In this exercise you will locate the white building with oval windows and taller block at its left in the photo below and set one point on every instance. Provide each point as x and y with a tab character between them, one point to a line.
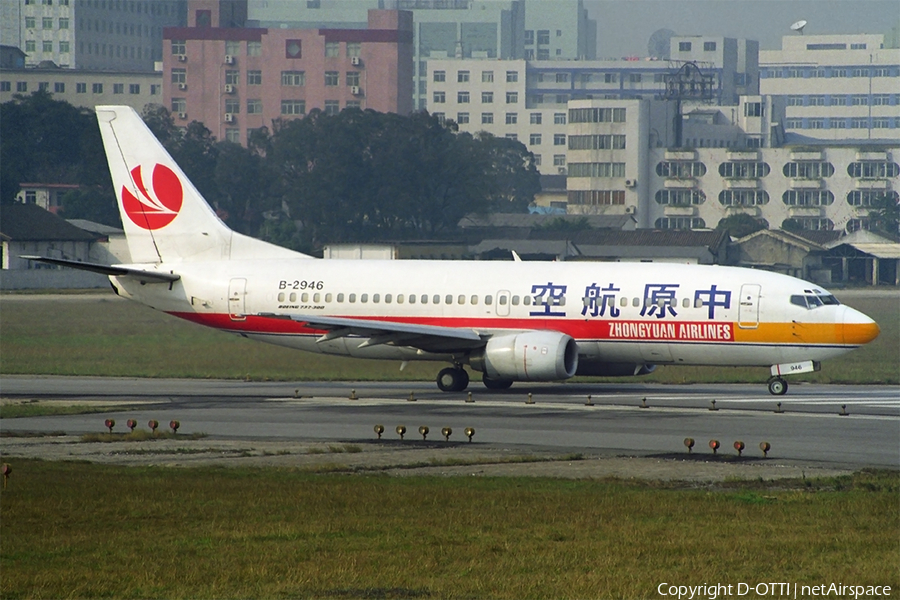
616	166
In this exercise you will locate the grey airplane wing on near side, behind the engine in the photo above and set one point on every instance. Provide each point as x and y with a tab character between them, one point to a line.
430	338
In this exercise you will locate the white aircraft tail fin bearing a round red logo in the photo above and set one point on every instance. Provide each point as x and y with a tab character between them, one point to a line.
164	216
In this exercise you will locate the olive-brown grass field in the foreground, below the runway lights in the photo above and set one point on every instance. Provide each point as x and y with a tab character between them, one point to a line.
79	530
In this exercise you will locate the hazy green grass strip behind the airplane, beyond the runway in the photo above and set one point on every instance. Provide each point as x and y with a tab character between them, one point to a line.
110	337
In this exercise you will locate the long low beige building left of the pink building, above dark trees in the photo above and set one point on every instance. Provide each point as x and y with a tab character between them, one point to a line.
85	88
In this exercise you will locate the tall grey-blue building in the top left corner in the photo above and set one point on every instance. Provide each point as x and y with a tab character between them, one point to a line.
122	35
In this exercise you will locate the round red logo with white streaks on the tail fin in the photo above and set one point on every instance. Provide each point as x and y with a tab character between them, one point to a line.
156	210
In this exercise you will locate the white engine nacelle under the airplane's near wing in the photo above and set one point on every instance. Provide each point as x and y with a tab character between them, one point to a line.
529	356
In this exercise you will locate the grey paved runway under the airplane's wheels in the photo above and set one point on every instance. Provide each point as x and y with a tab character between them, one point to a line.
823	425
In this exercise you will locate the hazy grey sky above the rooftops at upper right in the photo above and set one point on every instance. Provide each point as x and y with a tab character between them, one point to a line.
624	26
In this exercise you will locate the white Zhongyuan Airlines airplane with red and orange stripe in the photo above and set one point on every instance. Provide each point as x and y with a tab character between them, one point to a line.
511	321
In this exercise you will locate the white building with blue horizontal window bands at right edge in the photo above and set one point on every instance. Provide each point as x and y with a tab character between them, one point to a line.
836	87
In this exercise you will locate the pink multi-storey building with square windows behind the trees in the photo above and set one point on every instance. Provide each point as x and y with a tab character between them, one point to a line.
235	80
